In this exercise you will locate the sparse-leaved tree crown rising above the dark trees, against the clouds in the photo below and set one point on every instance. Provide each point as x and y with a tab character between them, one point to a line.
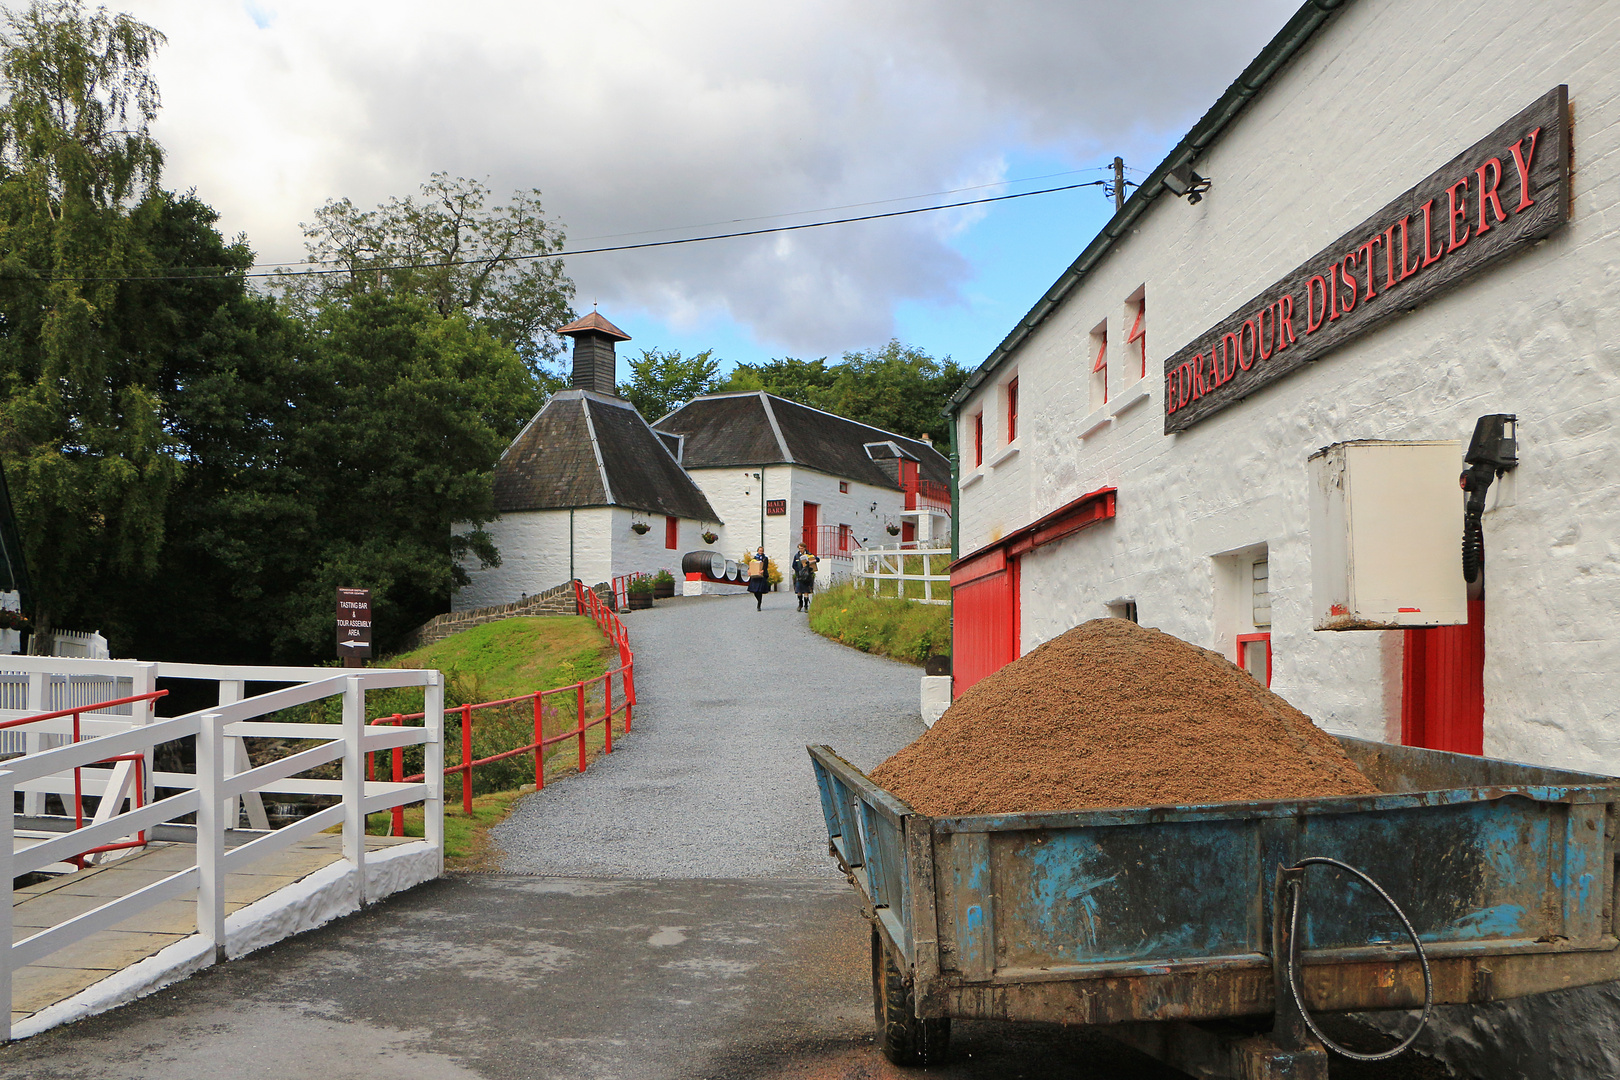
453	252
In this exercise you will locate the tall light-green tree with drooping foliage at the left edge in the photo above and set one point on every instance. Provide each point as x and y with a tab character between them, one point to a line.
82	427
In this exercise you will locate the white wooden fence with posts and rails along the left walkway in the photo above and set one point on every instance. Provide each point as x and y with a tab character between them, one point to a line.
223	776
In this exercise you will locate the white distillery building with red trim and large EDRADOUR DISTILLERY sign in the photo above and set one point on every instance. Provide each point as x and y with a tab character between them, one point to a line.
1400	219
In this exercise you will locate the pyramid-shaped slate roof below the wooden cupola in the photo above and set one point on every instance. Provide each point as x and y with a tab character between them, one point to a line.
589	449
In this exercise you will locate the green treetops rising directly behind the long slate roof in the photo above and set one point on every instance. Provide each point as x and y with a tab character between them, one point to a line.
895	388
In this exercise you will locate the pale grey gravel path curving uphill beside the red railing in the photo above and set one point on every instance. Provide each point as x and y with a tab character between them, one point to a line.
715	781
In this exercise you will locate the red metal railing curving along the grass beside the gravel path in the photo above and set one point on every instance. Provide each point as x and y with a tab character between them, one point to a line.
587	603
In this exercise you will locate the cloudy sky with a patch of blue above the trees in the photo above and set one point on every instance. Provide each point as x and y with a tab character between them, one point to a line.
650	119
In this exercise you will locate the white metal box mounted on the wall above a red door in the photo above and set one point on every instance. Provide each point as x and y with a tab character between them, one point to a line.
1388	535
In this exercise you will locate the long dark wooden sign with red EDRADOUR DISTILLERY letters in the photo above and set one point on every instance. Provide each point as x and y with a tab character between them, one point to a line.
1491	202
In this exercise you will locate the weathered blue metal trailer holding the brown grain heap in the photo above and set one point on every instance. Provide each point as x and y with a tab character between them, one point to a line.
1161	921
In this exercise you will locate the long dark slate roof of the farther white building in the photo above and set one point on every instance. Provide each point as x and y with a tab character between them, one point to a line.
759	428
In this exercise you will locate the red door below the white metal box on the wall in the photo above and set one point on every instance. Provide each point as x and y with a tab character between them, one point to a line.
1444	686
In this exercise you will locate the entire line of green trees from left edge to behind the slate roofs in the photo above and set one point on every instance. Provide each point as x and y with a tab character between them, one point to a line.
197	459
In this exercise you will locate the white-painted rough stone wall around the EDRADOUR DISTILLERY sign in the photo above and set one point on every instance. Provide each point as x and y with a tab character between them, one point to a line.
1384	96
